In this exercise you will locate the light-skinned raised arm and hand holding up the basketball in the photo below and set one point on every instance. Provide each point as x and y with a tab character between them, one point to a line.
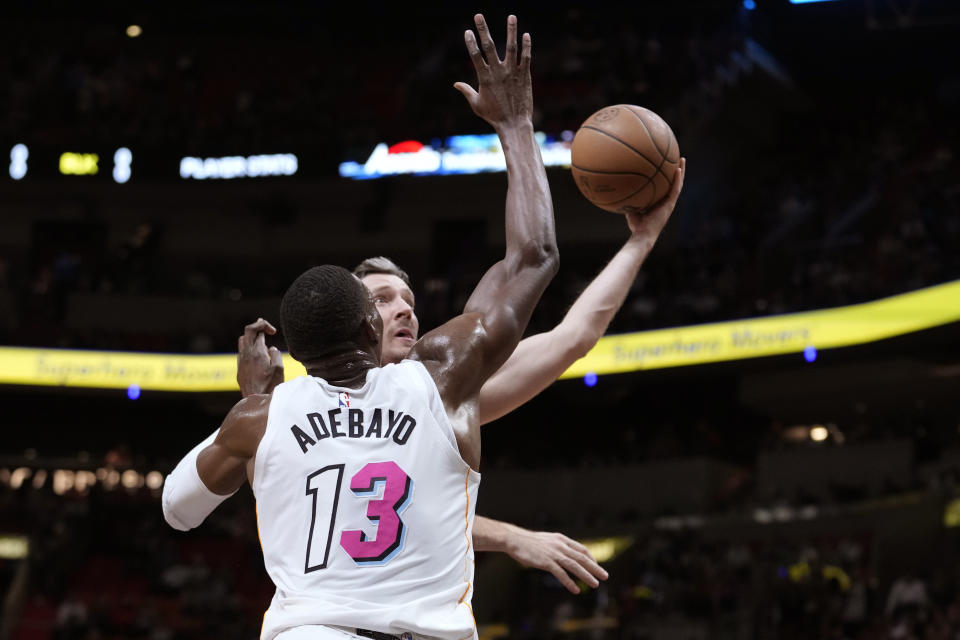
540	359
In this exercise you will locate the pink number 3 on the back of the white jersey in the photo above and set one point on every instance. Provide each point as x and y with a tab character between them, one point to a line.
396	487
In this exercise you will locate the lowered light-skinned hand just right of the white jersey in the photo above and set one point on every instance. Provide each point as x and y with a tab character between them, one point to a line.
556	554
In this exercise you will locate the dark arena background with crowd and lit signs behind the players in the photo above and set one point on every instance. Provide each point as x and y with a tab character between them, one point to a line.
172	167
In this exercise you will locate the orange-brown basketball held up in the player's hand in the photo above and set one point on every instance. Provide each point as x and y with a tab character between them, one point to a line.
624	158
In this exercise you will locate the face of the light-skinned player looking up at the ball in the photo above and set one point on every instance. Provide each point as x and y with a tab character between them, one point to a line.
394	301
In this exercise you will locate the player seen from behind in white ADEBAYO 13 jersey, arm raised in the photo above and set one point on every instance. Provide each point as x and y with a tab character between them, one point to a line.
365	477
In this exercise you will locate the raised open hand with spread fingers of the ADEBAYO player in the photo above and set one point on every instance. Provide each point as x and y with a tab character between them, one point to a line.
505	95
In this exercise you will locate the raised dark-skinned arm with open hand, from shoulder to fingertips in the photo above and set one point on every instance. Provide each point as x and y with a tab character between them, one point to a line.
464	352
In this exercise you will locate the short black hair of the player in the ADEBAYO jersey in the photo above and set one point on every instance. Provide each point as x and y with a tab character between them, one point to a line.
323	308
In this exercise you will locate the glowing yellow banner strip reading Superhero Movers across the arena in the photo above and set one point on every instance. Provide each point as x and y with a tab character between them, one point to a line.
644	350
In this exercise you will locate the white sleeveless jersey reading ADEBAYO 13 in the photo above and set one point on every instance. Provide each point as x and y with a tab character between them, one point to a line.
365	507
